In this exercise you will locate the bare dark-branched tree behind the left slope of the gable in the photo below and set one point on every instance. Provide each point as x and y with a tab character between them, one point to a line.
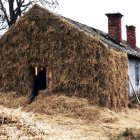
11	10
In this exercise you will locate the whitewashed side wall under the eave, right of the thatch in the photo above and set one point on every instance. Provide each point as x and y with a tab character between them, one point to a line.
132	77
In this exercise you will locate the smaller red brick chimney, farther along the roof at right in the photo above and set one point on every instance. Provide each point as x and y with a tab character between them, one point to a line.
131	36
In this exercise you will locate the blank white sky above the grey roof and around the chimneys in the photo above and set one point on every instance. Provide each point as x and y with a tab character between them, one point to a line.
92	13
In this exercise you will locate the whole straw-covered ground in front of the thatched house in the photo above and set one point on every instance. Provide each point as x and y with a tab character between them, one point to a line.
57	117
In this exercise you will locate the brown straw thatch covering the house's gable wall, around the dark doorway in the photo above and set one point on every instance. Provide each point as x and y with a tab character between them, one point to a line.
81	64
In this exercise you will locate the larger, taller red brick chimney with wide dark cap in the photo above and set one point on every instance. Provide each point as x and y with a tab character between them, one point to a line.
114	26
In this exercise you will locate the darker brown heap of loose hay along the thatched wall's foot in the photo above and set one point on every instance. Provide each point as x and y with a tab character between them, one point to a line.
54	105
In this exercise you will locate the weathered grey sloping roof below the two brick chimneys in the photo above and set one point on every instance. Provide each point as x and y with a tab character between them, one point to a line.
107	40
